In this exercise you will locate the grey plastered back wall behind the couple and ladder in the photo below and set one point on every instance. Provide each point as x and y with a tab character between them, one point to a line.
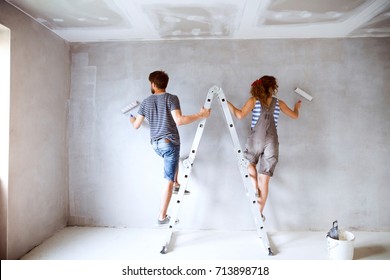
333	159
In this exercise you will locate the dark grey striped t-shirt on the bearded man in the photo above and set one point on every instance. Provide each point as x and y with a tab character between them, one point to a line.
157	110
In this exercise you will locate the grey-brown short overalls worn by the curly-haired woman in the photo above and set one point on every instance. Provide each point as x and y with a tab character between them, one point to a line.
262	144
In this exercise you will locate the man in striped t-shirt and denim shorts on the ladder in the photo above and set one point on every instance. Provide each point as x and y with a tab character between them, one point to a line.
162	110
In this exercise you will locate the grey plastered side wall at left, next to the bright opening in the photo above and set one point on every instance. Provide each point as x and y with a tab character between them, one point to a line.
38	166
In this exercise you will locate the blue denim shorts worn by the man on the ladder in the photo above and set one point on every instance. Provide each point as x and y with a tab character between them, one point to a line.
170	153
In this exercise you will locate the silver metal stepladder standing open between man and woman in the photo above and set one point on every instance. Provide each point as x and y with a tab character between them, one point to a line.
216	92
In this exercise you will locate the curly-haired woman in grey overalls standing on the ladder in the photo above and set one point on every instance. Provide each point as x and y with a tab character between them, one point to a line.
262	144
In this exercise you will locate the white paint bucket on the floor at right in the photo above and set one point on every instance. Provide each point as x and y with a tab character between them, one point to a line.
342	248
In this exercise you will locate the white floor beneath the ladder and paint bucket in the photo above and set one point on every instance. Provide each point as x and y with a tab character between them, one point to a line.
92	243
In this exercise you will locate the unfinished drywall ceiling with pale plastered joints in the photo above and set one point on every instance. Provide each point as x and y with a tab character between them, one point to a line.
107	20
